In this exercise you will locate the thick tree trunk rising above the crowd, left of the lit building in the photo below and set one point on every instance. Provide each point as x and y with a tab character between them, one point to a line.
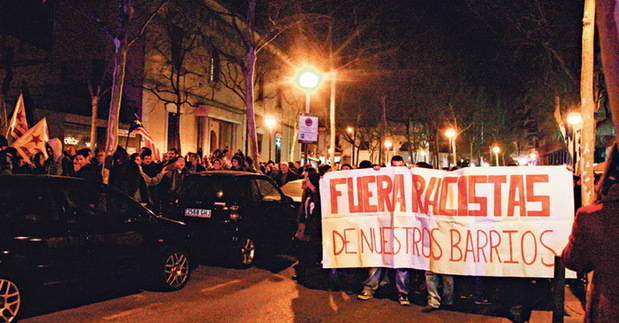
118	81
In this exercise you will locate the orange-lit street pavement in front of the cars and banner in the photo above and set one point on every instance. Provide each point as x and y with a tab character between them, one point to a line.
219	294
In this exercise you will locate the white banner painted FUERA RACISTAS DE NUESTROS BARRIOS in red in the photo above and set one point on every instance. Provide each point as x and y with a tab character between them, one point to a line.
485	221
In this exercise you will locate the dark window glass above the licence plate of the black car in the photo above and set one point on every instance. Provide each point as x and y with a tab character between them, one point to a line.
210	189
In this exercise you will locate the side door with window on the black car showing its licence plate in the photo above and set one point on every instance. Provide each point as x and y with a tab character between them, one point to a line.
278	212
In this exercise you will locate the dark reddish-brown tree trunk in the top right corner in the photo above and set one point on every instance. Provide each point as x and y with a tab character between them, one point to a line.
608	20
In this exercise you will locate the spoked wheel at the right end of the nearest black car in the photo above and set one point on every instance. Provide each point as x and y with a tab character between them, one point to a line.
173	270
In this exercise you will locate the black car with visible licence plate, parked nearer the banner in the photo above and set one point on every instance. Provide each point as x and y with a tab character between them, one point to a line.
236	215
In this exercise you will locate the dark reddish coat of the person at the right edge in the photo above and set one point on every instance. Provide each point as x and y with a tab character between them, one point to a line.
593	246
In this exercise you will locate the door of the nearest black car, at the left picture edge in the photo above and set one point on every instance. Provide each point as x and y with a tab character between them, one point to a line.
37	237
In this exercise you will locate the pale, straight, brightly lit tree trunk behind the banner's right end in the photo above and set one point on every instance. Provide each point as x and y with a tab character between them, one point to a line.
587	104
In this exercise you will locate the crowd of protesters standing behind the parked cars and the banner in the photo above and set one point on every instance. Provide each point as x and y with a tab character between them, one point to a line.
155	182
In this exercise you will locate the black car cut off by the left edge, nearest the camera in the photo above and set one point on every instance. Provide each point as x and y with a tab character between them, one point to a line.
60	235
